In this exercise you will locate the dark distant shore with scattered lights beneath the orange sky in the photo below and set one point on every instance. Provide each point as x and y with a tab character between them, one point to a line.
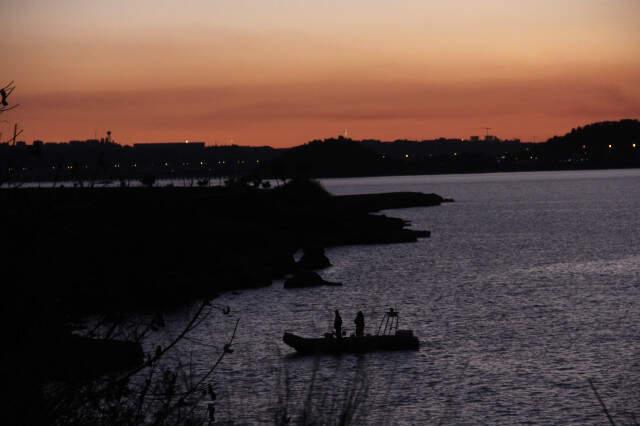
598	145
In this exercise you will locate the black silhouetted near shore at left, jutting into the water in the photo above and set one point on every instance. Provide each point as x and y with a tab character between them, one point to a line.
78	252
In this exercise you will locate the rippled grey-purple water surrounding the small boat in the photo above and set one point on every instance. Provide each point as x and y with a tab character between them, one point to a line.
528	287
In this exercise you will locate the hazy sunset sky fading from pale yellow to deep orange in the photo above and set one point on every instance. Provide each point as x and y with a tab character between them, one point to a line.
284	72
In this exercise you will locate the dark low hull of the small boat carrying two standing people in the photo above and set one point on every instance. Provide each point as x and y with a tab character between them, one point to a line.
364	344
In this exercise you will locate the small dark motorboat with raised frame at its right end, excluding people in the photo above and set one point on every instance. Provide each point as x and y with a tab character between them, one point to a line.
390	339
